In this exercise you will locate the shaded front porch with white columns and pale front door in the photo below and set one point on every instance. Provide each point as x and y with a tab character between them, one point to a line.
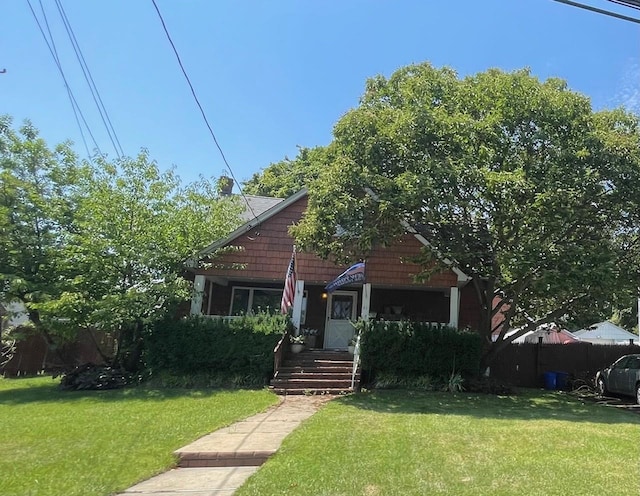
327	316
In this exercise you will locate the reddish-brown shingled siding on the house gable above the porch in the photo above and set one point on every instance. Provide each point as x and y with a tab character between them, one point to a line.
265	251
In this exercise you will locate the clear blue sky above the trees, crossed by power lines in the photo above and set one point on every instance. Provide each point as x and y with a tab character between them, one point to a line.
272	75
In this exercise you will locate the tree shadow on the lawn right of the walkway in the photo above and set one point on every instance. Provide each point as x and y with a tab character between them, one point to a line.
529	405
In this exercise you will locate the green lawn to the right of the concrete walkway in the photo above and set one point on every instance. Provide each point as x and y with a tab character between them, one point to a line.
400	443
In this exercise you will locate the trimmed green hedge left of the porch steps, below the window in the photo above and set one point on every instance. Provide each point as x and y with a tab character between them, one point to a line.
195	345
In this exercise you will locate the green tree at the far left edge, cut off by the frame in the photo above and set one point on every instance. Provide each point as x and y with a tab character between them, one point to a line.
39	189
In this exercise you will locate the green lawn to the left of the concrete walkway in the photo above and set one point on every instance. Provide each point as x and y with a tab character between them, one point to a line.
99	442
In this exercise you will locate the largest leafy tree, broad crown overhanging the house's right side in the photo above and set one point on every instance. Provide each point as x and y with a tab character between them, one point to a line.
517	182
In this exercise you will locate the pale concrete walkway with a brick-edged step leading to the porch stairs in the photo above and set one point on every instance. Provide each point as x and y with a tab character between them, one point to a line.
219	463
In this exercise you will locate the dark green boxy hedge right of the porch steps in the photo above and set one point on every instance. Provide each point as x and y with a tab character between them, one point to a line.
414	349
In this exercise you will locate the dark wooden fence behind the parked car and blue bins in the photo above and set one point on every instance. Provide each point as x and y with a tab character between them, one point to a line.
525	364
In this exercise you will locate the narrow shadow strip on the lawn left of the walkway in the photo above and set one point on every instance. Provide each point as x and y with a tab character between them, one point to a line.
27	390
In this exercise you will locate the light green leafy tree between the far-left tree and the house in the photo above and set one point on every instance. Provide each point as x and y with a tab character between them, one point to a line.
133	230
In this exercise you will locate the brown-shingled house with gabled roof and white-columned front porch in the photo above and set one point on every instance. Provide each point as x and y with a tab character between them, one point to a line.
250	276
